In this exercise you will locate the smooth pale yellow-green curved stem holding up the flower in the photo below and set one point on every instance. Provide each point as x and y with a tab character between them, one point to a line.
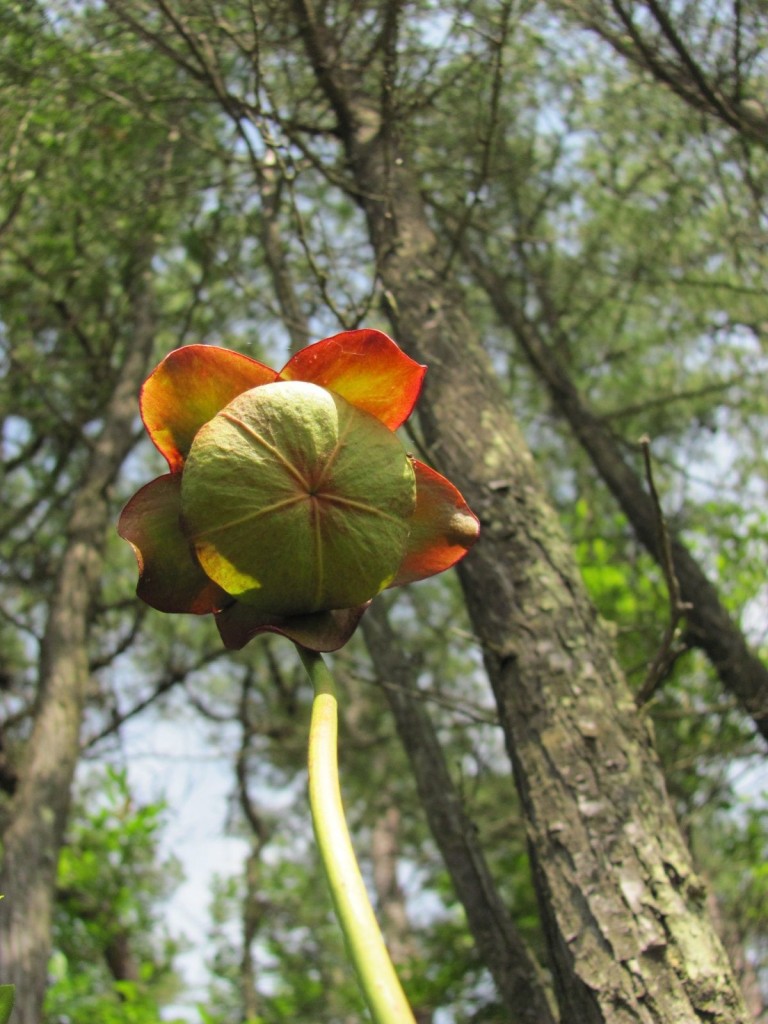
377	977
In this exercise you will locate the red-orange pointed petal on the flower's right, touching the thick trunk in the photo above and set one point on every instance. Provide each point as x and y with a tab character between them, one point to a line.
443	528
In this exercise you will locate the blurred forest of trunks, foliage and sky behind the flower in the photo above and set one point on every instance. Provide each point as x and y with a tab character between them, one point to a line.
561	206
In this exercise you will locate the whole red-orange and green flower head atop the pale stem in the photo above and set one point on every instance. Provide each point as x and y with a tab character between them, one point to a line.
290	502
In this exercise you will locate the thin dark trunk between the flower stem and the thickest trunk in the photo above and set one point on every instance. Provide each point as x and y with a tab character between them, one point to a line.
518	977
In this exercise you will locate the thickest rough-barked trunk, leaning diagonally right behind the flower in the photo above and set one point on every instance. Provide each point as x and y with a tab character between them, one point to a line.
626	918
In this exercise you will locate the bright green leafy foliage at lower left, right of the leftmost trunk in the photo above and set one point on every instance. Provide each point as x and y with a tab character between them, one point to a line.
112	961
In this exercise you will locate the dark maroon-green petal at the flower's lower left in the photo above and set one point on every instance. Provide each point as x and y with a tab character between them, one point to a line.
170	579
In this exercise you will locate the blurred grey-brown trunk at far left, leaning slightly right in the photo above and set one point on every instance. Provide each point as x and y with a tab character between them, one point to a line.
40	808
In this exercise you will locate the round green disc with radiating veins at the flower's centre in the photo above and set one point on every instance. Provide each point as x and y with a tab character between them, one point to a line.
296	501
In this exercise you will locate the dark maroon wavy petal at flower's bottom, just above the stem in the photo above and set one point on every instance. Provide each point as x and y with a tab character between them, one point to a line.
324	631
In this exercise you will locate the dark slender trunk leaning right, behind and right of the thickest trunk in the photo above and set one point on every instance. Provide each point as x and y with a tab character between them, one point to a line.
709	625
